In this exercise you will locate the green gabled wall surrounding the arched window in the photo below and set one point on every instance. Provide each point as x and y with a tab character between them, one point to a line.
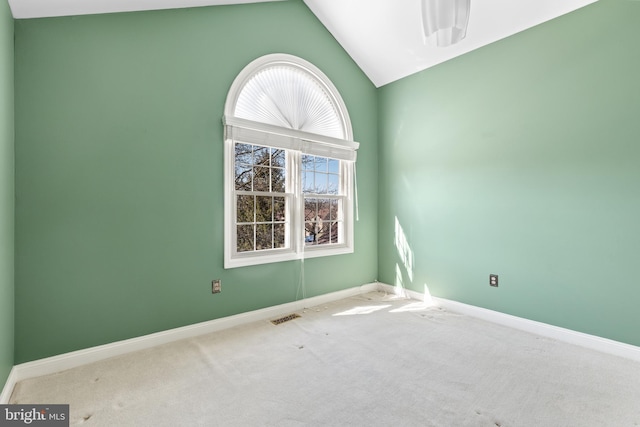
119	171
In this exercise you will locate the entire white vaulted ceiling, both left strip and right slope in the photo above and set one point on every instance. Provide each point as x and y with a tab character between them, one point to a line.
384	37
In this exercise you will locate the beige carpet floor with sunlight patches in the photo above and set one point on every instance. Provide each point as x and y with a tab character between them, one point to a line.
371	360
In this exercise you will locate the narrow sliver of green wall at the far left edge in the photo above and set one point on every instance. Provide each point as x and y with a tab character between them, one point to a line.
6	192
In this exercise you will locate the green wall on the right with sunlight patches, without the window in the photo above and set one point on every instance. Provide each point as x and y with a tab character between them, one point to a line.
522	159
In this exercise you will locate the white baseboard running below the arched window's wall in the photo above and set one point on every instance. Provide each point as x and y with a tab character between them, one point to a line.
73	359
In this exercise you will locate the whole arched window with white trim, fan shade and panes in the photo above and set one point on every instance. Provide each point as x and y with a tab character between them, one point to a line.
289	164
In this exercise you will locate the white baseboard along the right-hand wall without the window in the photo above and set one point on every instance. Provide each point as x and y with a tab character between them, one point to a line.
543	329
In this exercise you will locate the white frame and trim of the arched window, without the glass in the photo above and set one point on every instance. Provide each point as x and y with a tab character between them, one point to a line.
296	142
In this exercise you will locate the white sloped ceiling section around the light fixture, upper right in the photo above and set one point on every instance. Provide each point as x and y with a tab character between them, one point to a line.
386	40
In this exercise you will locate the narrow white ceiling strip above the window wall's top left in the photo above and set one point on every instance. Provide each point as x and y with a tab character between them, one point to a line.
25	9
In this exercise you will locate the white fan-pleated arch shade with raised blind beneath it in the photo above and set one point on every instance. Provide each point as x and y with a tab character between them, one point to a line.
287	106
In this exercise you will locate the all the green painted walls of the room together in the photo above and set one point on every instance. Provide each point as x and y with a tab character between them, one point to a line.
520	159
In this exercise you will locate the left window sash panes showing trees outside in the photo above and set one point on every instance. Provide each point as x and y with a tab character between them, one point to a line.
260	183
